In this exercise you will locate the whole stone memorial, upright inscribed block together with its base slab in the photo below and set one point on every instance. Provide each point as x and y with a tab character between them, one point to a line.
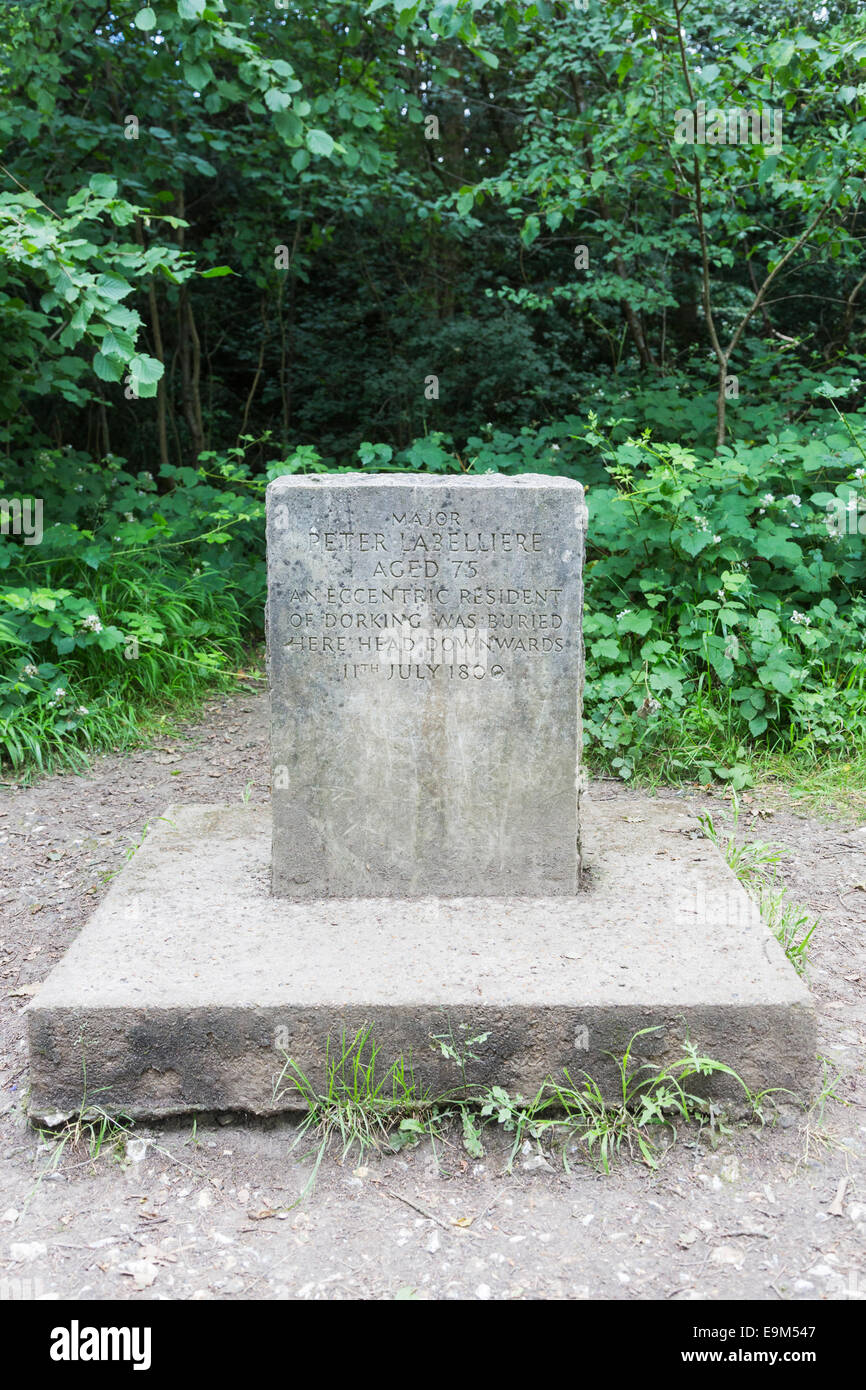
426	667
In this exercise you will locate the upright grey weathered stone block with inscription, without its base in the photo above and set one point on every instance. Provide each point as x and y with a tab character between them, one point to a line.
426	664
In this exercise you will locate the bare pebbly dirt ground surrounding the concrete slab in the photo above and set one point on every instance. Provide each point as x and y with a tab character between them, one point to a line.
774	1214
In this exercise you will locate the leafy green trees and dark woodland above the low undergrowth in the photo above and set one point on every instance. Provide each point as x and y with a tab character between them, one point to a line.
181	147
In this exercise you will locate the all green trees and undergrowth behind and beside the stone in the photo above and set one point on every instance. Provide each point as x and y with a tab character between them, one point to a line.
224	226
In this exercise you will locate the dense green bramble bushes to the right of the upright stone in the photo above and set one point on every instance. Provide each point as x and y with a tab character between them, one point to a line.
722	605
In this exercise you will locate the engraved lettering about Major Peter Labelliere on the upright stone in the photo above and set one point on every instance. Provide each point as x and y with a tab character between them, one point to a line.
443	622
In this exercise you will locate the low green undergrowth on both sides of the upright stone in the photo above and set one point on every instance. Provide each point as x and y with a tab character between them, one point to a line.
725	614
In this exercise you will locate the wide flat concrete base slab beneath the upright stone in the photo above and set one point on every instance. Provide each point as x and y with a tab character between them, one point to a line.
191	983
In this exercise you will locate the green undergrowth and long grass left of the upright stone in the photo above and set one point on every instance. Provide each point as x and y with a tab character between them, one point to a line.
136	598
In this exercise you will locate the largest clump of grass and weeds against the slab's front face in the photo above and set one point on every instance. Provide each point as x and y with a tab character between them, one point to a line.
365	1109
